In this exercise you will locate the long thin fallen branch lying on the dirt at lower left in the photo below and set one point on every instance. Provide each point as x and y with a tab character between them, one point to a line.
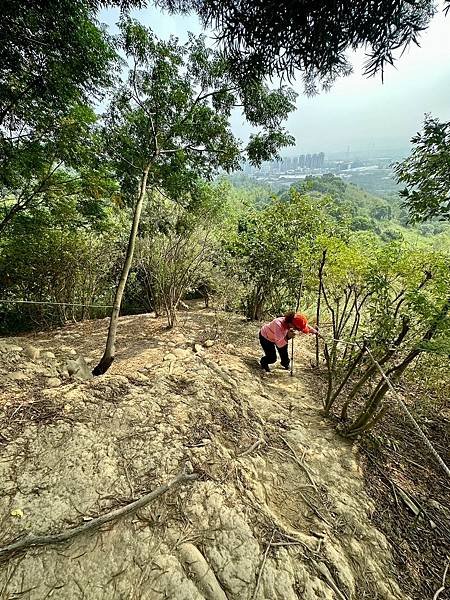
55	538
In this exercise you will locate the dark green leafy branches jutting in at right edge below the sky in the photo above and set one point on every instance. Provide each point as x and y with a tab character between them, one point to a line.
426	173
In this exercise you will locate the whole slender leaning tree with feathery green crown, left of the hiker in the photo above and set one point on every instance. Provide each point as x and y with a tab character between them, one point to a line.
169	126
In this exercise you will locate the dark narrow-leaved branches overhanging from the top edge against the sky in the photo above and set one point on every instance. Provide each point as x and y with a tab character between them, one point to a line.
311	36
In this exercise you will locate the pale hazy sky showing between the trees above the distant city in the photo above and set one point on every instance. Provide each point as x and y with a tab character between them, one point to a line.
359	114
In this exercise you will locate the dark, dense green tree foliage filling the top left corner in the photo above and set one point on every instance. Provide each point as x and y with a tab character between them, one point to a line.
52	56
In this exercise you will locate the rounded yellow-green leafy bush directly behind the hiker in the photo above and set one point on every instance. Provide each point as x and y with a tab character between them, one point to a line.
272	248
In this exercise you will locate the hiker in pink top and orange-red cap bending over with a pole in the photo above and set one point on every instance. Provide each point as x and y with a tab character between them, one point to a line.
277	333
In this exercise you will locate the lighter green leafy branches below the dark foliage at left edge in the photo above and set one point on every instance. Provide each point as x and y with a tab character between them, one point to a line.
55	167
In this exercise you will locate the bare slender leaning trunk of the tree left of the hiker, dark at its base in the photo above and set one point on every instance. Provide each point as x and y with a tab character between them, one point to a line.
110	349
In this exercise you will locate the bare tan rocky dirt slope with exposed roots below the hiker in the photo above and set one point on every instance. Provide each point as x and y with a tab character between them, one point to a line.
279	511
